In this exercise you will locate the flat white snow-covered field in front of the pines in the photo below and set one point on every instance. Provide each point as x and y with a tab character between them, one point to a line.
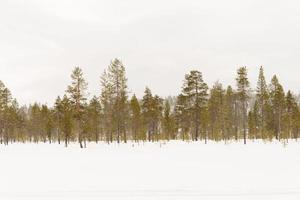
176	170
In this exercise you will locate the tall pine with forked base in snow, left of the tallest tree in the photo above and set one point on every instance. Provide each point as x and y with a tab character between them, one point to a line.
77	95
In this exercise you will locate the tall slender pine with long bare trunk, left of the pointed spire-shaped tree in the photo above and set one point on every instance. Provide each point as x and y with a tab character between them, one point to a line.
243	88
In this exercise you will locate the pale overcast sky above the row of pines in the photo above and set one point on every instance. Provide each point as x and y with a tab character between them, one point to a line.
157	40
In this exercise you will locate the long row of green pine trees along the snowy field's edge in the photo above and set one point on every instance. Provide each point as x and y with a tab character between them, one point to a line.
198	113
